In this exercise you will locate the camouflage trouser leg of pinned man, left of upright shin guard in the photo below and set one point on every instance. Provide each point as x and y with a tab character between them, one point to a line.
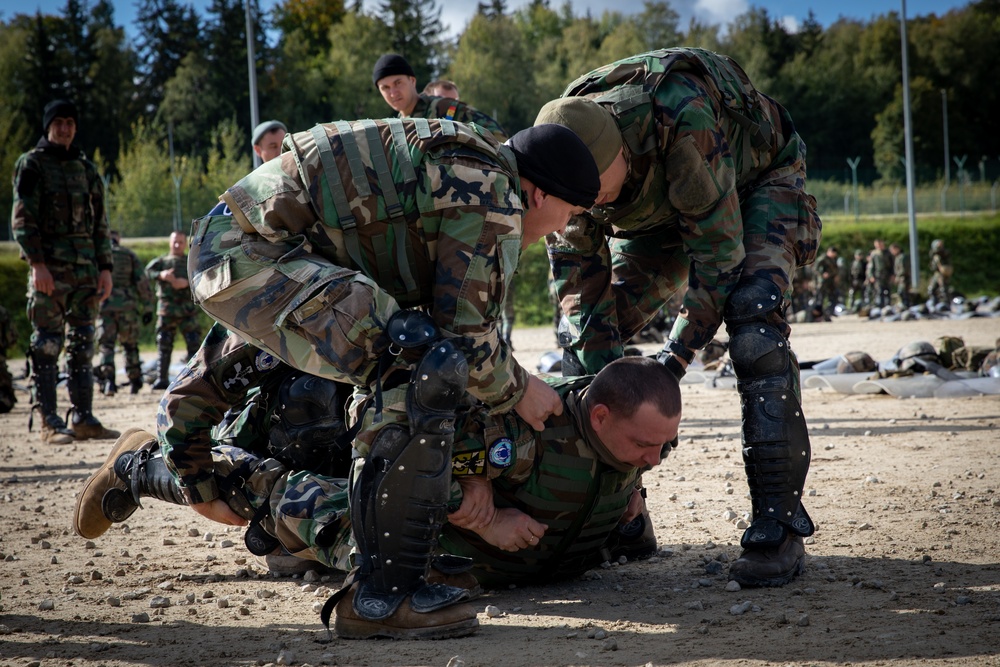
308	513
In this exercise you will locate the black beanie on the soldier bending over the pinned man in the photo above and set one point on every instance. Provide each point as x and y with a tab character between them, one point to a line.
556	160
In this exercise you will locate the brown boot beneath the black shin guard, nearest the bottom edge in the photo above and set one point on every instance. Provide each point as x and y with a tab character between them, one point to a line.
457	620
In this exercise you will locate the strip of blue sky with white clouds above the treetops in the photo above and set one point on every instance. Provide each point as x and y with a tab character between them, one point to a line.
456	13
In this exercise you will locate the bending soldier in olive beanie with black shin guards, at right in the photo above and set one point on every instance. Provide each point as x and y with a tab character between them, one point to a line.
702	178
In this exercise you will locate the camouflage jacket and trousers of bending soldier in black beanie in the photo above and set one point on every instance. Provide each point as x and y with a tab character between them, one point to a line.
323	307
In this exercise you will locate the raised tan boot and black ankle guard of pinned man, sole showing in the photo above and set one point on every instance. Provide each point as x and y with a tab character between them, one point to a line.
112	493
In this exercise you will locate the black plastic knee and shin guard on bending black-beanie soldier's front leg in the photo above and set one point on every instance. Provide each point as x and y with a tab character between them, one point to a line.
399	500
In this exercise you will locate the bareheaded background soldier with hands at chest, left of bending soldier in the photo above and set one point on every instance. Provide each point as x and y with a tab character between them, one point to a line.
174	307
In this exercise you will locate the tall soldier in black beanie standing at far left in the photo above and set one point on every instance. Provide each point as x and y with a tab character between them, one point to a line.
58	220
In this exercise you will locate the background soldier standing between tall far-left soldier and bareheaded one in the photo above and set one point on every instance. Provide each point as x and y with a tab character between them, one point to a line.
120	315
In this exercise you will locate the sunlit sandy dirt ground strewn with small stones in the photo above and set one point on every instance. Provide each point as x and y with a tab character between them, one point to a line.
902	571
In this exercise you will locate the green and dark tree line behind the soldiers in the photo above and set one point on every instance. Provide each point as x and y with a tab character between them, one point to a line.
166	114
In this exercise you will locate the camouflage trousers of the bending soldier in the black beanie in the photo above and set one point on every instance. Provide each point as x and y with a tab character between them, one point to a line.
310	313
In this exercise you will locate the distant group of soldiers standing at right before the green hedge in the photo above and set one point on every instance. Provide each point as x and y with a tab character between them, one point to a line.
880	279
